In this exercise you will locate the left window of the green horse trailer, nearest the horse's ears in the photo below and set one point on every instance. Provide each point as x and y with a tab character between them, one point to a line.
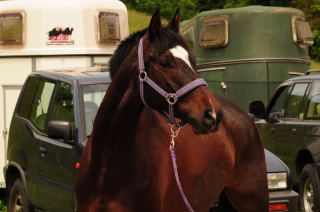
214	33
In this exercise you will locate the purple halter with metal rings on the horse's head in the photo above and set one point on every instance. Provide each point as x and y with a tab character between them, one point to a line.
170	97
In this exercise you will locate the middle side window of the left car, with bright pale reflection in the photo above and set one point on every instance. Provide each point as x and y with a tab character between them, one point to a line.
41	103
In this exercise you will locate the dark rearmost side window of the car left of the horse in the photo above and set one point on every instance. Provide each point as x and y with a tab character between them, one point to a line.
27	97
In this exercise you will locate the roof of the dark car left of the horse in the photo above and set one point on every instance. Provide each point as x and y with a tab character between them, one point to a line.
89	75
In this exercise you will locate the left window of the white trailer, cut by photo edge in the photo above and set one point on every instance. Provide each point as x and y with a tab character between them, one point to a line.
11	28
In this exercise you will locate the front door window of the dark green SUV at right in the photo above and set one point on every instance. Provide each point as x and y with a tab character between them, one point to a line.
293	109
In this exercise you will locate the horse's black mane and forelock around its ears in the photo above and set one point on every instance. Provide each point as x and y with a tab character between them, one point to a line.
165	39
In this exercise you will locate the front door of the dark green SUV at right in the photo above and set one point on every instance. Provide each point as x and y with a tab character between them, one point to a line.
285	129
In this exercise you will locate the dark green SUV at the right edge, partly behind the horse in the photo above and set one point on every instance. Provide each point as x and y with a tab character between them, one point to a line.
290	128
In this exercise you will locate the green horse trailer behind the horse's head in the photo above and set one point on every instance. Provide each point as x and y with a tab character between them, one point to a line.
245	53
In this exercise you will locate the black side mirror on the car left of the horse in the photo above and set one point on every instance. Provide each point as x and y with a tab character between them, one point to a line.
61	130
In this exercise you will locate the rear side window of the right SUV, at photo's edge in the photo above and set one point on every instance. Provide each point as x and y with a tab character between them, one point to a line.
313	111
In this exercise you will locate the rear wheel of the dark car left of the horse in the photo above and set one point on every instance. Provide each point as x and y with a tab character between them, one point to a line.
18	198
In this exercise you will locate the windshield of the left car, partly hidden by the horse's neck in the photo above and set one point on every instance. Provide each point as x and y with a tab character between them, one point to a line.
92	98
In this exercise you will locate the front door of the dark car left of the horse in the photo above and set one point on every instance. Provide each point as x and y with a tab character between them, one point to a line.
58	158
